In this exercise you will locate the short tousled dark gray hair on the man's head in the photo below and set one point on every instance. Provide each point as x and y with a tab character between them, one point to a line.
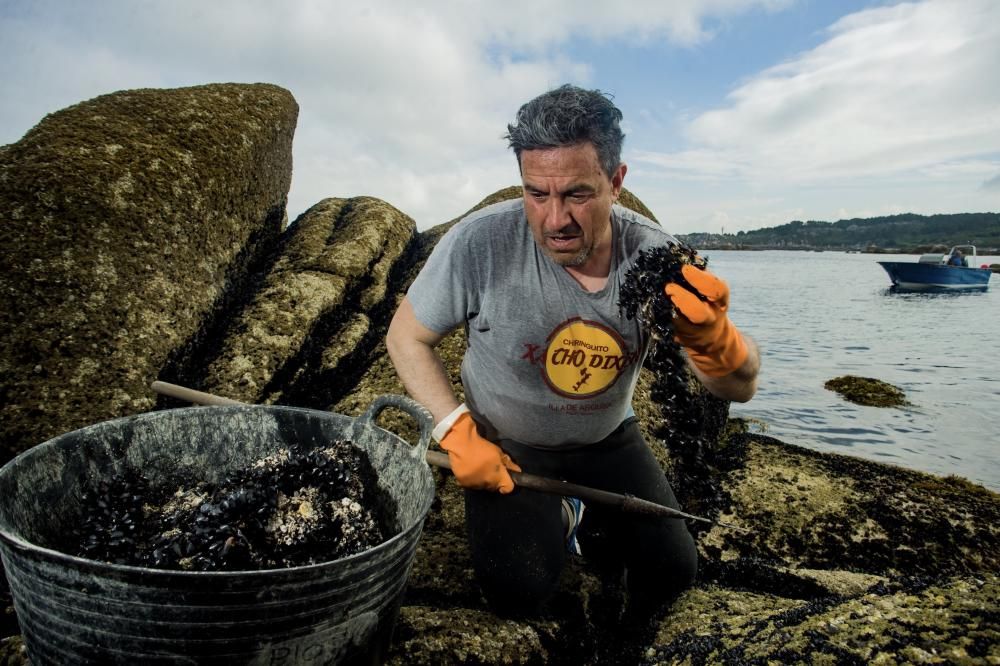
569	116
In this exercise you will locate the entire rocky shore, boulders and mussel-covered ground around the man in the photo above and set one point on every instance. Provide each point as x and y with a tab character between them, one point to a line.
144	237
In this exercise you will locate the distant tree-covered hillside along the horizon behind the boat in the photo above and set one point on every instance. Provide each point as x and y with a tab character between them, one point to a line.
902	233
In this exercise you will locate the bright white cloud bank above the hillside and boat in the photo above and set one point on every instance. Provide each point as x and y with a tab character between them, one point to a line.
893	89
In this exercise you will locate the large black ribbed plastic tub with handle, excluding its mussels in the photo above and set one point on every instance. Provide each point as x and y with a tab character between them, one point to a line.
74	610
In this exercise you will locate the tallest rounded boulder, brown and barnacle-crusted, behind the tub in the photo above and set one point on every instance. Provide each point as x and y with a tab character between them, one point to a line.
128	224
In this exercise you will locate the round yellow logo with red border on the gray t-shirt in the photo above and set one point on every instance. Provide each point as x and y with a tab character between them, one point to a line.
583	358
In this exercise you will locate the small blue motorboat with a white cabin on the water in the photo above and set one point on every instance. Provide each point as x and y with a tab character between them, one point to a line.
936	272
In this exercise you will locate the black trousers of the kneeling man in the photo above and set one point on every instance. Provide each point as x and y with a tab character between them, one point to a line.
518	540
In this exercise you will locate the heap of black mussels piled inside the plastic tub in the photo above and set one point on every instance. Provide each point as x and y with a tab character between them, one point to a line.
288	509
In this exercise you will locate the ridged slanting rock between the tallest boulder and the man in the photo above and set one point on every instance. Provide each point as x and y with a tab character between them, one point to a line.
307	331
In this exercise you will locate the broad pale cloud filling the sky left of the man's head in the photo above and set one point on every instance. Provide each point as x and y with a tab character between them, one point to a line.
399	100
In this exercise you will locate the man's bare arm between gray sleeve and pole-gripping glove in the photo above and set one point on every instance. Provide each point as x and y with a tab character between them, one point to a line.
411	348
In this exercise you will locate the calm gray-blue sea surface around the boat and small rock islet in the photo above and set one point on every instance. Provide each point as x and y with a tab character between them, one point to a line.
820	315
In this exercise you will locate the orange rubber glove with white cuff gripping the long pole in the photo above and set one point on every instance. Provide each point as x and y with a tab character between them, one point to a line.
476	462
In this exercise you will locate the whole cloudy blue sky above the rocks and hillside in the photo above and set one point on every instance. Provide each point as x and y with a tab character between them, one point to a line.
738	114
